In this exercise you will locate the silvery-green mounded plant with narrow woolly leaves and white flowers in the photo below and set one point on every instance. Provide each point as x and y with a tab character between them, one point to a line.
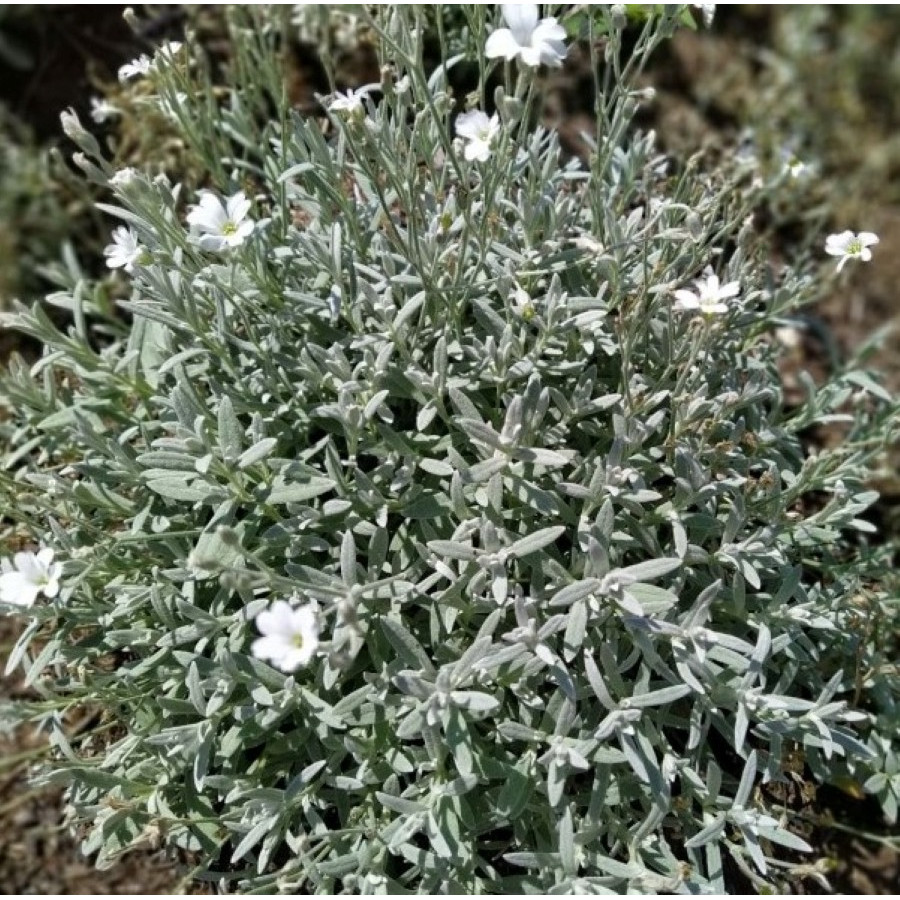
432	518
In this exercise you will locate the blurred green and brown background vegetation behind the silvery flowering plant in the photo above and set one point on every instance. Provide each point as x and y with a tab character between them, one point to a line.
818	83
